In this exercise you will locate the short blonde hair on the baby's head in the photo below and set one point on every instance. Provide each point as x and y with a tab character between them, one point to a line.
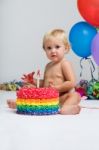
57	33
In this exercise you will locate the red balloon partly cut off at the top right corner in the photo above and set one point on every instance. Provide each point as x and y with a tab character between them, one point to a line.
89	9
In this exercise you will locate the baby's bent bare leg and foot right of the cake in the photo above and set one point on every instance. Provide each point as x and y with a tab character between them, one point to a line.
69	105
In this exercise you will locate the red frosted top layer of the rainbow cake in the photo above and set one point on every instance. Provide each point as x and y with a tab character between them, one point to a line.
31	93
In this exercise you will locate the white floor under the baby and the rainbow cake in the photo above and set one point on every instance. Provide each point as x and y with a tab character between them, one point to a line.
57	132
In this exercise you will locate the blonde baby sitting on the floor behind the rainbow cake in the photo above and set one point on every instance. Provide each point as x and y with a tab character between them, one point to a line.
59	72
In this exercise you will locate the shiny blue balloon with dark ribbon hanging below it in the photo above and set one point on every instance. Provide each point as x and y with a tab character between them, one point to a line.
80	37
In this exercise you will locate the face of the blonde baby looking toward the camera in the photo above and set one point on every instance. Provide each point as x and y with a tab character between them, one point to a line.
55	49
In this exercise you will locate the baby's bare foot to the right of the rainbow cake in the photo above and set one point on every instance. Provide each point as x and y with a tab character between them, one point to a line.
70	110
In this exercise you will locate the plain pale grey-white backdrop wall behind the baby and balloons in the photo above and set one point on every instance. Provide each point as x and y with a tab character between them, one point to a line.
22	26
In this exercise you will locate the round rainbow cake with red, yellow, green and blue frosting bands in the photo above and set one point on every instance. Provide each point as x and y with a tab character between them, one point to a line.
37	101
